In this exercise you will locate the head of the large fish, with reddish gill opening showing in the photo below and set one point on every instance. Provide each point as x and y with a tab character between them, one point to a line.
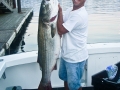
49	10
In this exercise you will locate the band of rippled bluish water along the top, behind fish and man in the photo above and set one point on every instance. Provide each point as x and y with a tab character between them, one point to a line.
92	6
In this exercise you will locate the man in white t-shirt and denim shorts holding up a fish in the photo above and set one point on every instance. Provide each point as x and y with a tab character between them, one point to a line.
73	29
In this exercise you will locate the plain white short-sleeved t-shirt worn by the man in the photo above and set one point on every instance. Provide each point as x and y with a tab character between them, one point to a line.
74	42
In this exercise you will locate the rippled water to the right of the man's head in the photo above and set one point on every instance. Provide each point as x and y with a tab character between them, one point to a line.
102	6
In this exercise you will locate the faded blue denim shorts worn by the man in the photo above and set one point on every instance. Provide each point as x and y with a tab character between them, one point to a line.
72	73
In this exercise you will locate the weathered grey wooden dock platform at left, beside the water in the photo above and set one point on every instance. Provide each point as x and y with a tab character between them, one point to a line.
11	24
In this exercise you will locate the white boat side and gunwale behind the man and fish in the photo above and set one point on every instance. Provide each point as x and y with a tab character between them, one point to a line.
22	69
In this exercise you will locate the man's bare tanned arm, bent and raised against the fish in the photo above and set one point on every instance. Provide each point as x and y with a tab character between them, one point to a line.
61	29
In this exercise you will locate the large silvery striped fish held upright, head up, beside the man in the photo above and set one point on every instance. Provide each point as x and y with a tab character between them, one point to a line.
48	41
